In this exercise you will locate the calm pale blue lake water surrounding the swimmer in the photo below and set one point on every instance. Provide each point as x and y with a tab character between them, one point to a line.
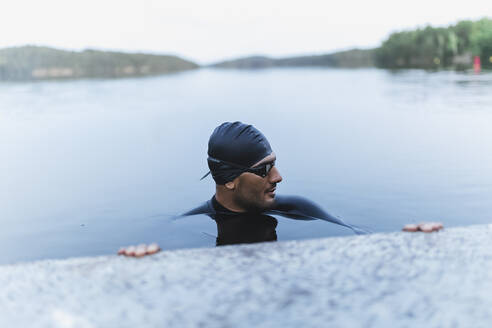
89	166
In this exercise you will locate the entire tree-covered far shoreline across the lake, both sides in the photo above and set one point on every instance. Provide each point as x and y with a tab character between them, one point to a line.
457	47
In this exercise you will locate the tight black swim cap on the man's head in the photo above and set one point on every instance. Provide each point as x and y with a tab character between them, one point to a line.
236	143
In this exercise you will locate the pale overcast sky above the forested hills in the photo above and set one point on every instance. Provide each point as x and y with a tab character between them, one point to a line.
212	30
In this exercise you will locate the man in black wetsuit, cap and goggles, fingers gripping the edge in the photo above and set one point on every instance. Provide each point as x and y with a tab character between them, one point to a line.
242	163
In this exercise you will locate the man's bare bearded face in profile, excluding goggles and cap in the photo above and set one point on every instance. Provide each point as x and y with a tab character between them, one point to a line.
255	193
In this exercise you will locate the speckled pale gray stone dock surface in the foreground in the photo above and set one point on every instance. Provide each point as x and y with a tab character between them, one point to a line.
398	279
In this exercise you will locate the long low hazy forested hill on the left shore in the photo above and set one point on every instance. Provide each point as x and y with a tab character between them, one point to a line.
32	63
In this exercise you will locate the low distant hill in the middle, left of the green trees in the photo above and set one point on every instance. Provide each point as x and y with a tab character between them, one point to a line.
349	58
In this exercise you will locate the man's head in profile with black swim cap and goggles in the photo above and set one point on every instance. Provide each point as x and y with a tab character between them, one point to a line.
242	164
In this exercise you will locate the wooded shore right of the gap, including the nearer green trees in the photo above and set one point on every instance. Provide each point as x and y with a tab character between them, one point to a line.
452	47
